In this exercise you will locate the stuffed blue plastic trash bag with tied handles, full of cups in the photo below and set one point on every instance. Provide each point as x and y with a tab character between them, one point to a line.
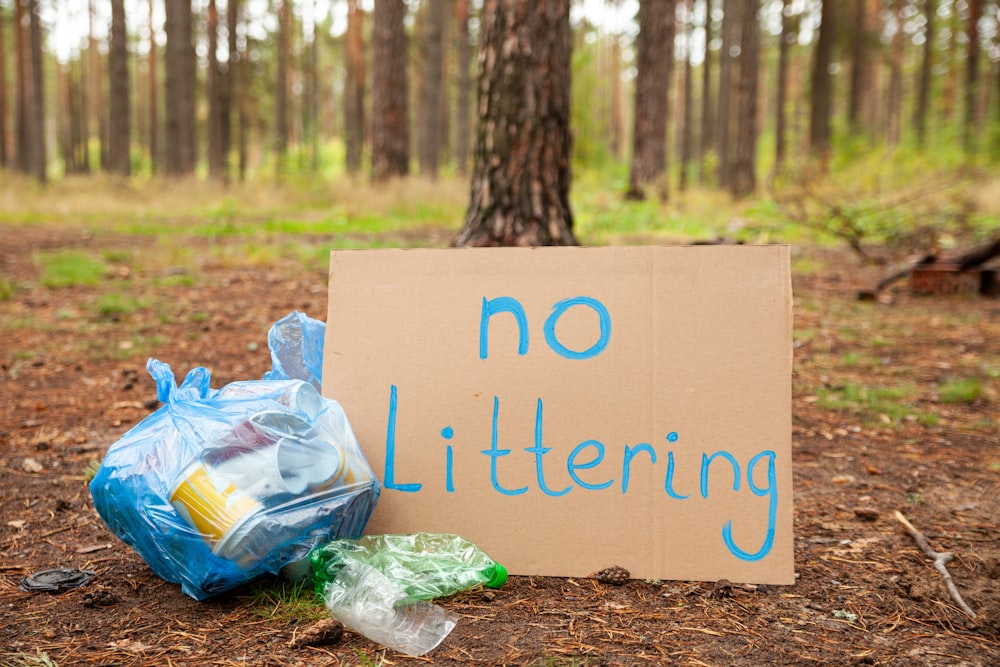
218	487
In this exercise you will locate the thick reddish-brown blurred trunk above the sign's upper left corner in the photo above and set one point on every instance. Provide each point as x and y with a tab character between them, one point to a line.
390	106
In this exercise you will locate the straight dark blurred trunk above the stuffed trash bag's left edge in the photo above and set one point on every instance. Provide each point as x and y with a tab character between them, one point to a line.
119	119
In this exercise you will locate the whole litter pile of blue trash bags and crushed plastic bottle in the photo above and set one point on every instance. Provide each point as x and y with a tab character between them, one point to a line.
219	487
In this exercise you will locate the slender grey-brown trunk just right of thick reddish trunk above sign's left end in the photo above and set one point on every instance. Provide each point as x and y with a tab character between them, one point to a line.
431	83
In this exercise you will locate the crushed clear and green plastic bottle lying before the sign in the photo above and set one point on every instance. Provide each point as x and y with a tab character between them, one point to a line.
380	585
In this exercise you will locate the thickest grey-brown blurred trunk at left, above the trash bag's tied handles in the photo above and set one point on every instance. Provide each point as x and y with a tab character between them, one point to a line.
180	156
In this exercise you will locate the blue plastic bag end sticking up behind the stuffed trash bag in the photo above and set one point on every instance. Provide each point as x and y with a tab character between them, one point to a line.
296	344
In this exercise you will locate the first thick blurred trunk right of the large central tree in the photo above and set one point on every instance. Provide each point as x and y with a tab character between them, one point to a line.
654	56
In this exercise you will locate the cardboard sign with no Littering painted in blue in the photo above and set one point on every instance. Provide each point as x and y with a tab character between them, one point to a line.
568	409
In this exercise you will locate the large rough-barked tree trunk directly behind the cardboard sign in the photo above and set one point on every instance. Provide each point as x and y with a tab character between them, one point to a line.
521	175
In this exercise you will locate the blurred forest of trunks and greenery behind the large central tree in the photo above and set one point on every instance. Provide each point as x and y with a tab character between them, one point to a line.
766	98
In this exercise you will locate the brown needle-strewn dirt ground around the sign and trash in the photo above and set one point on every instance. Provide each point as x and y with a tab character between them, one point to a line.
72	380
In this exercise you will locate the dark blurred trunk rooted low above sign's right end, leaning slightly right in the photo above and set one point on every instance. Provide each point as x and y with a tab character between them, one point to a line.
744	180
